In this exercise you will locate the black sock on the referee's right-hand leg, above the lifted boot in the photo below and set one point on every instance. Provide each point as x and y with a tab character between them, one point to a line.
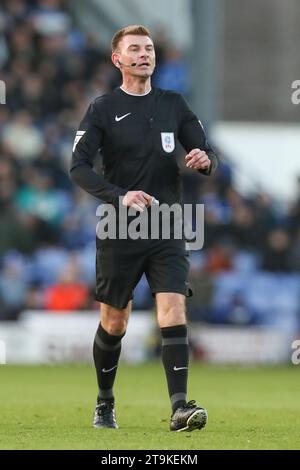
175	358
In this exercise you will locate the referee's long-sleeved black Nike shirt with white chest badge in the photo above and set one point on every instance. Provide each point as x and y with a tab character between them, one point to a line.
138	138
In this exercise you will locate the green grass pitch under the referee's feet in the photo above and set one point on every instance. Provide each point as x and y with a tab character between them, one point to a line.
50	407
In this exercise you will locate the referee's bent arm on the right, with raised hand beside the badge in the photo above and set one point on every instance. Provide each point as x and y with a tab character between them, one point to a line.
192	137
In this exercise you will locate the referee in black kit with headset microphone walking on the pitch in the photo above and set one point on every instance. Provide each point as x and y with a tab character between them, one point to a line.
137	127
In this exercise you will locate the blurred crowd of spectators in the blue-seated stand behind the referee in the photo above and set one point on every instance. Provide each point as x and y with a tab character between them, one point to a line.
52	71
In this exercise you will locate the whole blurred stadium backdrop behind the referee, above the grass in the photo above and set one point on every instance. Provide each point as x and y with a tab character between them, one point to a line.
235	62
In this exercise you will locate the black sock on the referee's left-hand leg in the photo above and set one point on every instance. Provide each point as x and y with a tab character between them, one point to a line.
106	352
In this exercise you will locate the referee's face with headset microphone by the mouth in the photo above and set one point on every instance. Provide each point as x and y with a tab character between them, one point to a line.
139	50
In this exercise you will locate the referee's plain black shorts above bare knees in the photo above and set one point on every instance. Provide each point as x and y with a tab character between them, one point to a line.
120	265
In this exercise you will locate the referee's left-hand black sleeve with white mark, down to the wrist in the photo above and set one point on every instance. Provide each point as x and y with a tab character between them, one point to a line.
88	140
